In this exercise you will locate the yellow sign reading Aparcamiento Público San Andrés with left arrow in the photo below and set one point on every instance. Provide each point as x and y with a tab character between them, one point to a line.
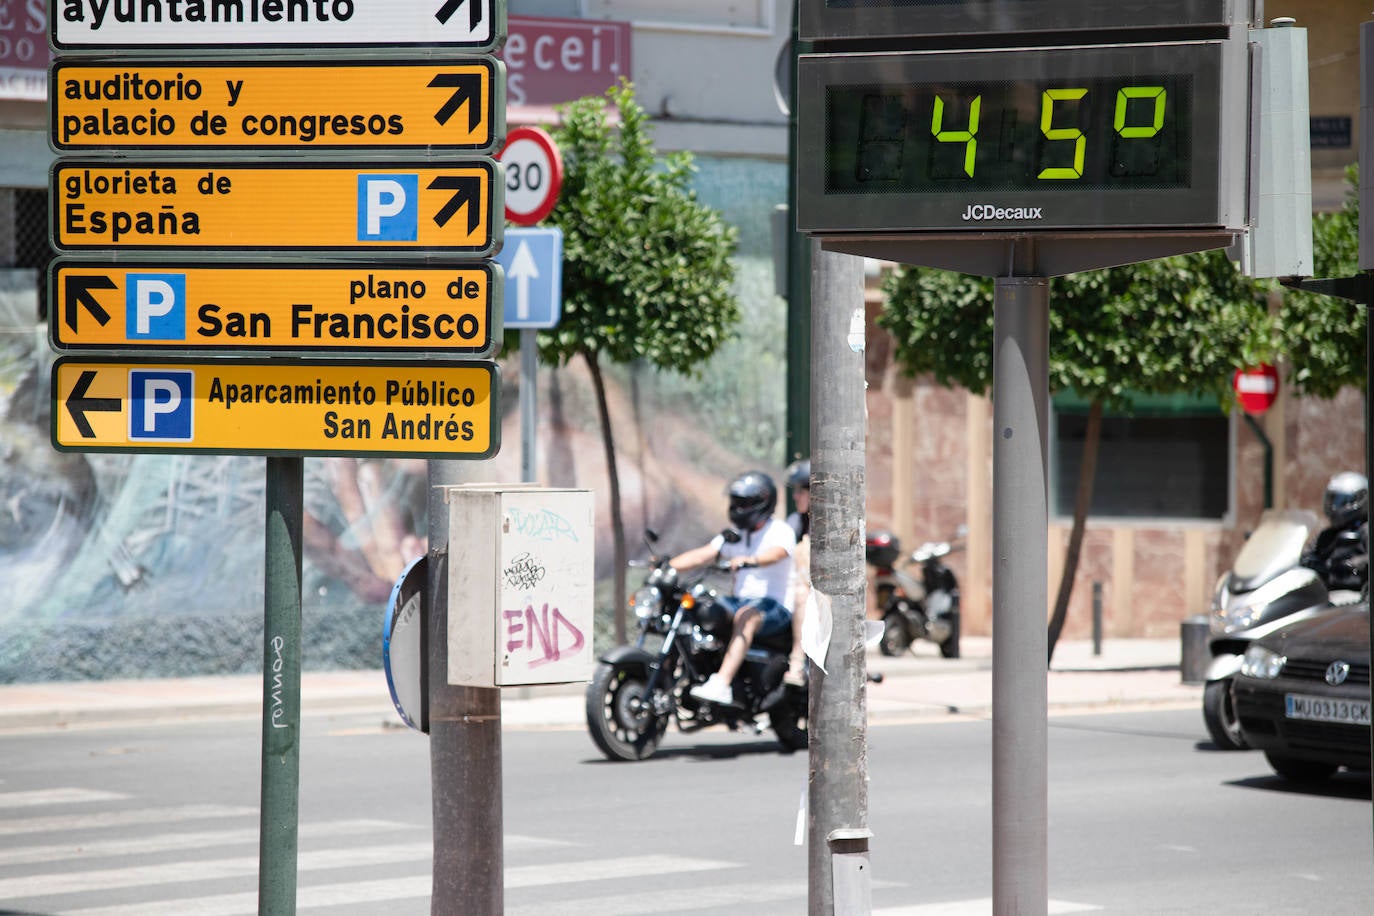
244	407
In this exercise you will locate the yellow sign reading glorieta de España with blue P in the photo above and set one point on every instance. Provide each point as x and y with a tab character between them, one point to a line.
266	205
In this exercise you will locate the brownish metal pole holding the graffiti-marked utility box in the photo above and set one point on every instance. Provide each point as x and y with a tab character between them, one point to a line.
465	751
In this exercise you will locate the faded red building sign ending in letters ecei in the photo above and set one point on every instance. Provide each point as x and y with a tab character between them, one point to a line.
553	61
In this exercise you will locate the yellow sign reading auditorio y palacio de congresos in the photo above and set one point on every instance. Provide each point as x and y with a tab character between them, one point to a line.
299	105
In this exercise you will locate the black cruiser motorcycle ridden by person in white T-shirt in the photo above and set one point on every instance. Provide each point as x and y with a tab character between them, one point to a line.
638	691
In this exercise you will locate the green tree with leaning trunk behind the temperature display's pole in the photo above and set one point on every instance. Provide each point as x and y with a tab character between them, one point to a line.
1162	328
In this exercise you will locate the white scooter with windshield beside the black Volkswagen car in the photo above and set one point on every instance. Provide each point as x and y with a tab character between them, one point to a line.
1265	590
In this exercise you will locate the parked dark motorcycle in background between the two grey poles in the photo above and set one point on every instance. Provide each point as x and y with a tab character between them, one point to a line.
916	609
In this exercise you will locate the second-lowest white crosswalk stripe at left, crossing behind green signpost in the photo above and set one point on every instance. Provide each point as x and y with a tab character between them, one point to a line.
203	871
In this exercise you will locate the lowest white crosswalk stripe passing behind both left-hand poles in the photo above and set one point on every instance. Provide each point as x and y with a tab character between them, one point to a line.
392	889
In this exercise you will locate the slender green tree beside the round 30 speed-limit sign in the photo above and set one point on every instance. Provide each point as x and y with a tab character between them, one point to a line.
648	270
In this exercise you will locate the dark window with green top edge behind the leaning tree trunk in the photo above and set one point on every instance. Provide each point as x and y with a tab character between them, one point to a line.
1170	458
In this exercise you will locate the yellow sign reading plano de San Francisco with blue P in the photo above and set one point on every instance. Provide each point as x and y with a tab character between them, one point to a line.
396	310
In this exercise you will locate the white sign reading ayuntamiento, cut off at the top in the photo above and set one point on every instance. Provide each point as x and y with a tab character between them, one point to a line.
471	25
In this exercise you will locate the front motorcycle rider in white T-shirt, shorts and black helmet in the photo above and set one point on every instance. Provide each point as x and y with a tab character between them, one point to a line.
762	561
